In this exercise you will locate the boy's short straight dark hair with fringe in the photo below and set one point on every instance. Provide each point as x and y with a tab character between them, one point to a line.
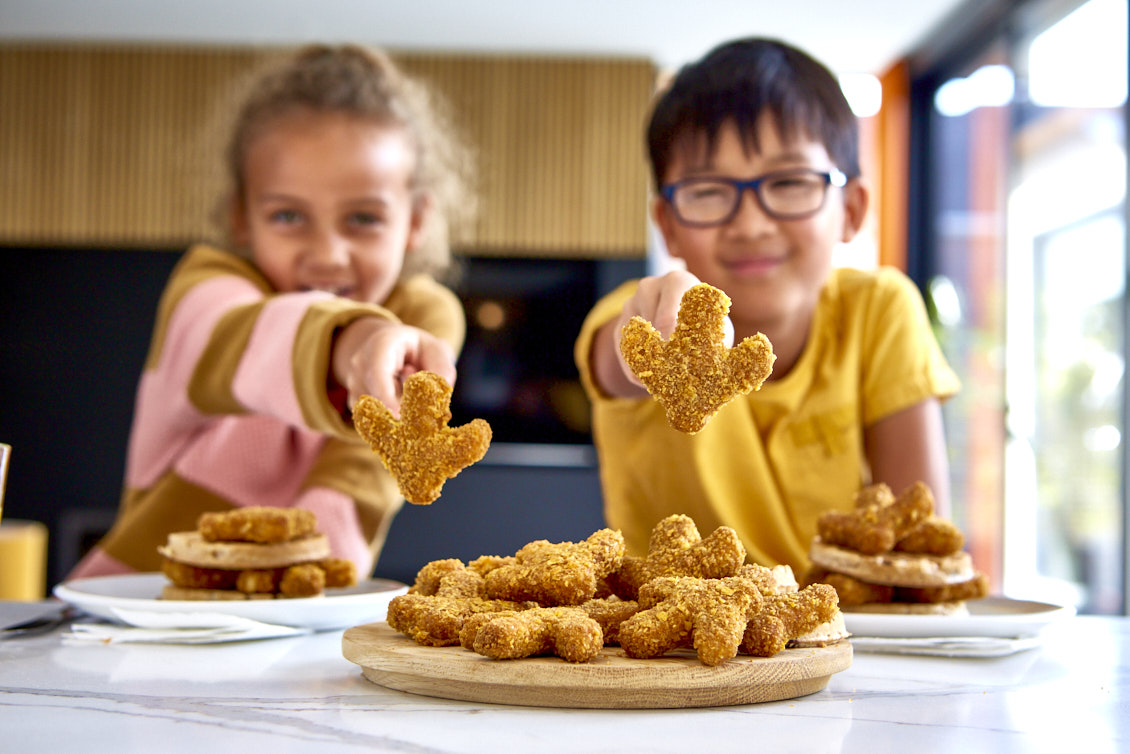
741	81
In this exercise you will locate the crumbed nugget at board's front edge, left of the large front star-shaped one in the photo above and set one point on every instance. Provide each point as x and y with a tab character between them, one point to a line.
567	632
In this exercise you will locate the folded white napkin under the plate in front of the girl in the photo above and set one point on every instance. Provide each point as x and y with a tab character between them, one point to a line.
177	629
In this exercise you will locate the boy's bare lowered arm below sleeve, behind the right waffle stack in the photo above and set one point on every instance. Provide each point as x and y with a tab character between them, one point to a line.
909	447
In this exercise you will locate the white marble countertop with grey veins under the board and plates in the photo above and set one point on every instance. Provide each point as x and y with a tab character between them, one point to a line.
298	695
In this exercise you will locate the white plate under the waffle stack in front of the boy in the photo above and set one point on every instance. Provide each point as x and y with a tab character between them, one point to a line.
994	617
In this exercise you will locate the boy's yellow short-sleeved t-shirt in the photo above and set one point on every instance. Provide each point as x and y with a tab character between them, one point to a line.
770	463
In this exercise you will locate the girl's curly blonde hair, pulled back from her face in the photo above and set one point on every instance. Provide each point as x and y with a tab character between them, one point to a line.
366	84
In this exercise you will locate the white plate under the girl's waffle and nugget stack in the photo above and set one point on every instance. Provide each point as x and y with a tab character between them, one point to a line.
340	609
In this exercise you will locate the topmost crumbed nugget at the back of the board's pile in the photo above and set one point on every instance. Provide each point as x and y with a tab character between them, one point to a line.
677	550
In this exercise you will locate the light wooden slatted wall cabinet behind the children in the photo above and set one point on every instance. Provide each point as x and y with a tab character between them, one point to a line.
120	146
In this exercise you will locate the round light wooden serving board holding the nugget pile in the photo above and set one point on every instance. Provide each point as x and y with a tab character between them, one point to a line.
611	681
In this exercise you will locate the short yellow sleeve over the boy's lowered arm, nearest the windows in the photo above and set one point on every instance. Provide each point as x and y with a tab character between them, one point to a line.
906	365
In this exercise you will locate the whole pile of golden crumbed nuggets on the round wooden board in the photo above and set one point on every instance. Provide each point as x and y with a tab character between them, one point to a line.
572	600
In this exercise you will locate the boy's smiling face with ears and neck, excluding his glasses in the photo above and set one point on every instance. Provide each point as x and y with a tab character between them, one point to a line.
773	270
